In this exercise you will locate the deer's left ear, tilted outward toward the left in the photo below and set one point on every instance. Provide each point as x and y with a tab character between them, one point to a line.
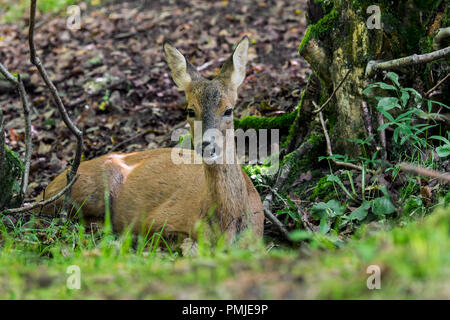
183	72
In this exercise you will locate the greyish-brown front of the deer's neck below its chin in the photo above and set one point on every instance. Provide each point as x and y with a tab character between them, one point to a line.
228	190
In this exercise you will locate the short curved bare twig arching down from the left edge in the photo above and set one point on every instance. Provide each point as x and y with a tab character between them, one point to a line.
18	83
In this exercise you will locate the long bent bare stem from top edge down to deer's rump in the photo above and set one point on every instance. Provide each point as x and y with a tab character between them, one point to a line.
62	110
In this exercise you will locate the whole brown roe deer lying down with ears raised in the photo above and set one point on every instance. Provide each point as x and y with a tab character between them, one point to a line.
147	189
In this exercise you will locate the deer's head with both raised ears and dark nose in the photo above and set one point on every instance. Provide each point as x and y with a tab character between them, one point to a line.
210	102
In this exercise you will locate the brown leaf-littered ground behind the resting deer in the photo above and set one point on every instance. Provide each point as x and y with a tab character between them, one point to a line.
116	84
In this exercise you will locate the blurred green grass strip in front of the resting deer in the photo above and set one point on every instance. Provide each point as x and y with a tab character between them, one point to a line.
414	262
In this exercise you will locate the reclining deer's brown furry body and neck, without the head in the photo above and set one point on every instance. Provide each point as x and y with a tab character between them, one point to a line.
157	191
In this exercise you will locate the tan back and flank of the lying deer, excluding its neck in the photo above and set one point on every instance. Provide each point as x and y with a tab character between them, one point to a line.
147	188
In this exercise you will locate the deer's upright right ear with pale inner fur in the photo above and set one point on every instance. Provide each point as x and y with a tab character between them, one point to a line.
234	68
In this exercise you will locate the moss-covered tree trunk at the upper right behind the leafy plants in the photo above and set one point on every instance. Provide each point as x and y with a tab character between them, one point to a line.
338	39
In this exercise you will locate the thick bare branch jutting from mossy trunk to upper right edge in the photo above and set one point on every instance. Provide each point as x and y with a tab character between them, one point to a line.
374	66
